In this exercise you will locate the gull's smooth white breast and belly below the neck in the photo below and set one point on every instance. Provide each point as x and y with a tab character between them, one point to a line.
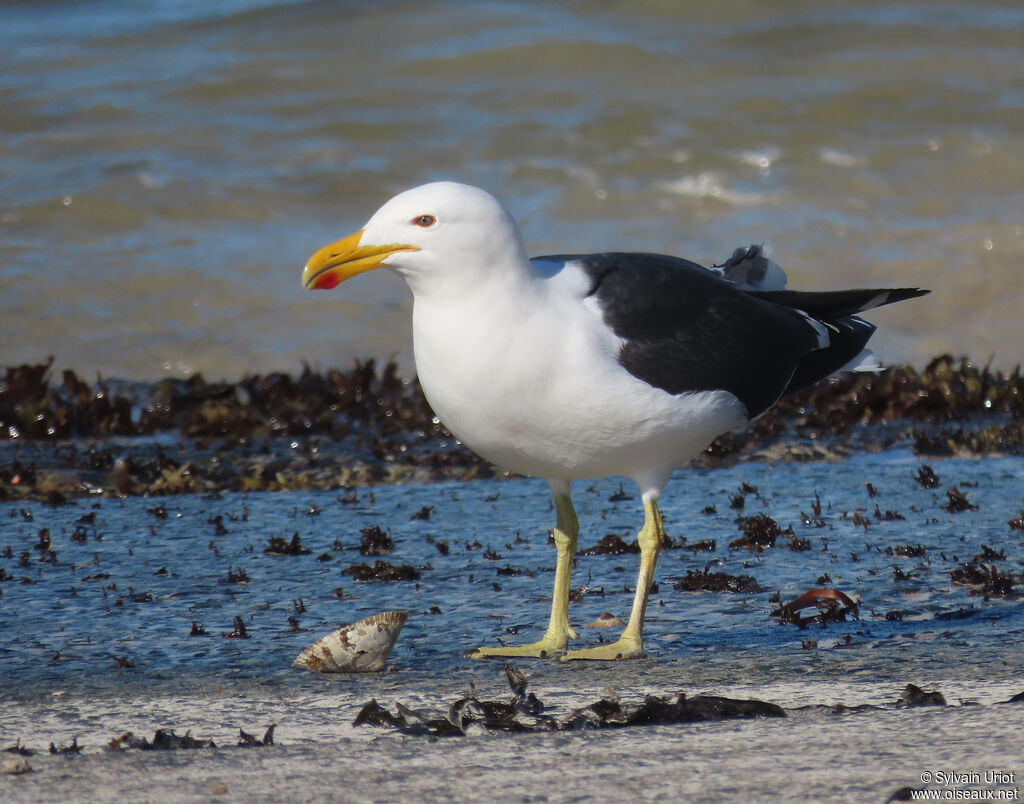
546	397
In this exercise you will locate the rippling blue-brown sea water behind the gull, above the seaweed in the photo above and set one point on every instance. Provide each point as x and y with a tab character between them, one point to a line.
167	167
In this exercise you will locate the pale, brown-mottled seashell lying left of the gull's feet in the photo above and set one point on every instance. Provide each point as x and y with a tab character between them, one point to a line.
360	648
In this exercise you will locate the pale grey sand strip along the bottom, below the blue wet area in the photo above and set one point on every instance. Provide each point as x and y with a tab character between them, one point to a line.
809	756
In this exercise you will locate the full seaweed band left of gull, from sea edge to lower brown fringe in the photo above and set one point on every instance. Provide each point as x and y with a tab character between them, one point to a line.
275	433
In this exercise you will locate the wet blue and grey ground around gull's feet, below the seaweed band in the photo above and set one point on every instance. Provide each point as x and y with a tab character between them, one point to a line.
949	640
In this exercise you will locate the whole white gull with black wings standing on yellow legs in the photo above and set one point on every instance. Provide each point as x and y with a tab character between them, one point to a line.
583	366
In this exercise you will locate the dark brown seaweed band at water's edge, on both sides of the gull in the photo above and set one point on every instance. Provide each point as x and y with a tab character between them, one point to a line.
335	430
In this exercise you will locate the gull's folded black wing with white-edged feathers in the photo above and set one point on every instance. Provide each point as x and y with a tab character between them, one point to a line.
686	329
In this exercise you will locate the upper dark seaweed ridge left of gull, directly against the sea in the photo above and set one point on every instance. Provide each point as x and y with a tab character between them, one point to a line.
333	403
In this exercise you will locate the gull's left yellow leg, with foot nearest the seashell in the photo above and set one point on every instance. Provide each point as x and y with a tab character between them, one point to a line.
560	631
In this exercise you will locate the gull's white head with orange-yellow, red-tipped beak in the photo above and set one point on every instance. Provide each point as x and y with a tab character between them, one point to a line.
432	235
